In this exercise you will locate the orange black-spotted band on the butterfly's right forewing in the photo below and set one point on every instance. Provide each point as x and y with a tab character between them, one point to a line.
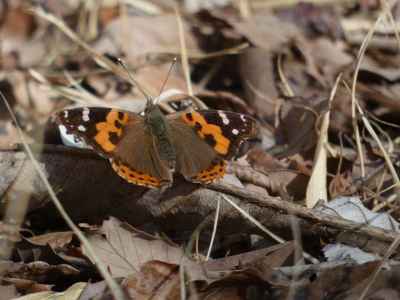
195	119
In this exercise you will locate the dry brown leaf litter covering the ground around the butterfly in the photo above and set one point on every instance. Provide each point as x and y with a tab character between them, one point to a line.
320	79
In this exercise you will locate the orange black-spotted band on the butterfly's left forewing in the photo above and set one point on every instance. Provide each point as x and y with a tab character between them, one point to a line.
112	125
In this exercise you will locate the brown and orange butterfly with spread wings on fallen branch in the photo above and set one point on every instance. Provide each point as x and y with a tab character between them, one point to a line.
147	150
